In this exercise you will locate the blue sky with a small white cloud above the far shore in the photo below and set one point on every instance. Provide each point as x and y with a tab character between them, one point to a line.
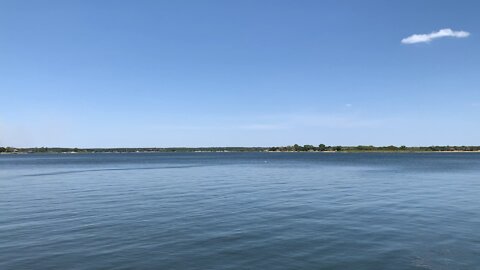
239	73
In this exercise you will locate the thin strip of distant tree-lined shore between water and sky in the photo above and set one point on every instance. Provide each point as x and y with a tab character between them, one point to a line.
291	148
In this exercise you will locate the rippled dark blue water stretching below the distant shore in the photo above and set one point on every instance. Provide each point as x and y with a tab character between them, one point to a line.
240	211
